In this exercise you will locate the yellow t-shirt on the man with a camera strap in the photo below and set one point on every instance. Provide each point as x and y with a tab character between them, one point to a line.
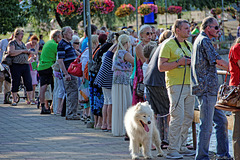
171	51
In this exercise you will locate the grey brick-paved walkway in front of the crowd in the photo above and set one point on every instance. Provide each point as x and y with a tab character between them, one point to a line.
25	134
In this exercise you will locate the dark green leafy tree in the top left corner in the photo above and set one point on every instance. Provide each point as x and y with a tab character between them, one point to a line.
11	16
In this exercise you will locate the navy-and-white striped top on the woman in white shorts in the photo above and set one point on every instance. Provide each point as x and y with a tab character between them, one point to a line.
105	74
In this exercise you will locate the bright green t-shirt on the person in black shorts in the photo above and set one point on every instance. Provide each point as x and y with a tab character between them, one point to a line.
48	55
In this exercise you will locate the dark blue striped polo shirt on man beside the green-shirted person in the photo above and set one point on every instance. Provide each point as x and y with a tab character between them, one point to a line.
66	52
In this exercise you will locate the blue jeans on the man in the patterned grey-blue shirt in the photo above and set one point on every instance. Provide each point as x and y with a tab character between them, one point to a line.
208	115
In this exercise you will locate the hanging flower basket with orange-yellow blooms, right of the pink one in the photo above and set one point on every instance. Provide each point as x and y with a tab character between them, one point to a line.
124	10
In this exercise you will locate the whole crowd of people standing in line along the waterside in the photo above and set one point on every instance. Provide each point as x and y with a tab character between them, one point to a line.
174	71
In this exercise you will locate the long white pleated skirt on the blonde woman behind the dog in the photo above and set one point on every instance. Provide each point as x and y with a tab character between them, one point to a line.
121	101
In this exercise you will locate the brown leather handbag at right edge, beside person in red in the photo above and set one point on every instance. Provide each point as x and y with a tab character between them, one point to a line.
228	97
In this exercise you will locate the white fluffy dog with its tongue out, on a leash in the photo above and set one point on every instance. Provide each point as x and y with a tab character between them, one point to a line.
140	126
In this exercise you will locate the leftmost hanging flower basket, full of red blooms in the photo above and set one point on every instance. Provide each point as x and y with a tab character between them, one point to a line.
65	8
